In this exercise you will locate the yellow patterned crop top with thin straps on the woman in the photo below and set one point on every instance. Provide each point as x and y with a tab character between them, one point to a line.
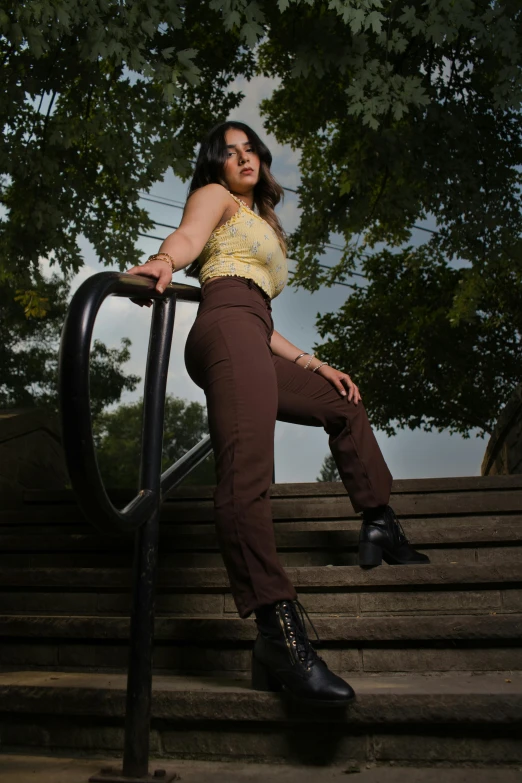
245	246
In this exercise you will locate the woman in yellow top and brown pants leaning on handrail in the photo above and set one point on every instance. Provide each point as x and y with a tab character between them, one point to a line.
251	376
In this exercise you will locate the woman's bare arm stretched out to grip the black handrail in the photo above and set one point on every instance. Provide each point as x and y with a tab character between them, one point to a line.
204	210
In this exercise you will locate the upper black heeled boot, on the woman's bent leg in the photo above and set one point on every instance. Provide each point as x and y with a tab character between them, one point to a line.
382	538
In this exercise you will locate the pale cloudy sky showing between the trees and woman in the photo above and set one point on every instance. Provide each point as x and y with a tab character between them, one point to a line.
299	451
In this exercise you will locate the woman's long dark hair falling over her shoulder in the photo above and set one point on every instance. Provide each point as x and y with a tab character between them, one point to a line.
210	166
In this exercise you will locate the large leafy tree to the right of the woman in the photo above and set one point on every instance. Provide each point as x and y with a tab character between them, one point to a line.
416	118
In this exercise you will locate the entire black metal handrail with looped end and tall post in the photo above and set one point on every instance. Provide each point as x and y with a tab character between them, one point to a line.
142	513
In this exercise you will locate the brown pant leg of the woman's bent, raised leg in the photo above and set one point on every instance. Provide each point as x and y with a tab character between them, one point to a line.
307	398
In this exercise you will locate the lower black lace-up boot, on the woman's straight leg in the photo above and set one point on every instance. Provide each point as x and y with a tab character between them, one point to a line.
284	659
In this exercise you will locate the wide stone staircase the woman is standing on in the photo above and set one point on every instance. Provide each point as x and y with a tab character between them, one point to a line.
434	652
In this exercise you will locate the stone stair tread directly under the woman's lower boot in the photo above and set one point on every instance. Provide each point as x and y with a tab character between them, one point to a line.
484	698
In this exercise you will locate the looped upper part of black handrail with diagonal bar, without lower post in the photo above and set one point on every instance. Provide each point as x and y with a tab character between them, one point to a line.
76	409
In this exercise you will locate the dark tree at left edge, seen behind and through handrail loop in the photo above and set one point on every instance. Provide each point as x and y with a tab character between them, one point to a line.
31	325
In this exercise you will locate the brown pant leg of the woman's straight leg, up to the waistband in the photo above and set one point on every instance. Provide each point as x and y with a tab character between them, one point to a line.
228	355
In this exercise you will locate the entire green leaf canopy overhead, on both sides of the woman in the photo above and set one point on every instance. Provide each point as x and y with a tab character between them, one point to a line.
405	112
